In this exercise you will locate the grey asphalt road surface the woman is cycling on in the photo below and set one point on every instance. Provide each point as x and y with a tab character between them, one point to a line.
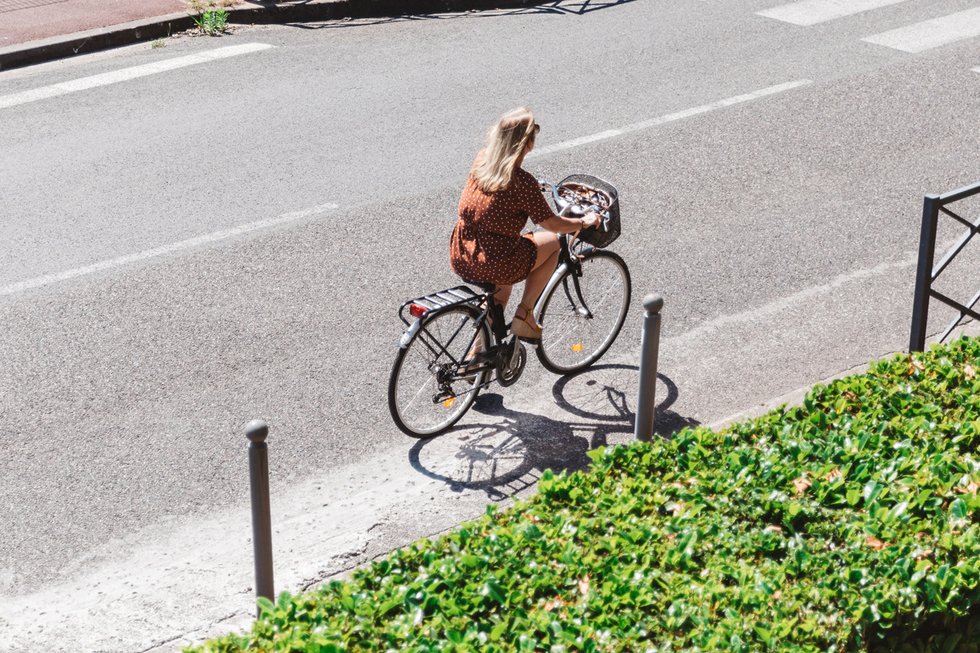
142	331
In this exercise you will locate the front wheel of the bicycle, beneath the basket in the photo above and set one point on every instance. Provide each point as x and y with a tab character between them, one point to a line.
581	316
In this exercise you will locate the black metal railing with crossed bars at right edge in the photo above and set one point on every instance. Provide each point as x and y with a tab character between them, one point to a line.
928	271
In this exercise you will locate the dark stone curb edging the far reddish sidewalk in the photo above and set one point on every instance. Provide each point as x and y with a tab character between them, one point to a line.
150	29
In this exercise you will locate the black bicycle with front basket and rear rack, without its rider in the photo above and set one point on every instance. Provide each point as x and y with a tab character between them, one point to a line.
458	337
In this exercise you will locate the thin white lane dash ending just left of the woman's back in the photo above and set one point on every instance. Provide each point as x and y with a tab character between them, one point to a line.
157	252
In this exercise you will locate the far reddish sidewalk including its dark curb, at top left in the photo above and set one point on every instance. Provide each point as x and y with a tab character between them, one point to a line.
35	31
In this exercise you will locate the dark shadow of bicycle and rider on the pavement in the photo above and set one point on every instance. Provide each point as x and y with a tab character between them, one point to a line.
506	453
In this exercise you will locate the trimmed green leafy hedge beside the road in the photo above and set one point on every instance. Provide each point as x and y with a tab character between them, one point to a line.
849	523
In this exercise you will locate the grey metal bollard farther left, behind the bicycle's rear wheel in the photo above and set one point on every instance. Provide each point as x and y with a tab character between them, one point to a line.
258	472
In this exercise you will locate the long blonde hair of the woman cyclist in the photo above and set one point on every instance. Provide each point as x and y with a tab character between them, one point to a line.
506	141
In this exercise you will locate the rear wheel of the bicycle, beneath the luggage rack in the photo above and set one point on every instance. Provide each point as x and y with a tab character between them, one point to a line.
426	392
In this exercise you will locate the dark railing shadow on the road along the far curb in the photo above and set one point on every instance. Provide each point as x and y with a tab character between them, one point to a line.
368	15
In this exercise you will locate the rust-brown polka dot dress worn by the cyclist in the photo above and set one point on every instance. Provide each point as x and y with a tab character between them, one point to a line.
487	245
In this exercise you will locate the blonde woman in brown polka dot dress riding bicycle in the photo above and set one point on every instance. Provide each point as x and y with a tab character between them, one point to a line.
486	245
